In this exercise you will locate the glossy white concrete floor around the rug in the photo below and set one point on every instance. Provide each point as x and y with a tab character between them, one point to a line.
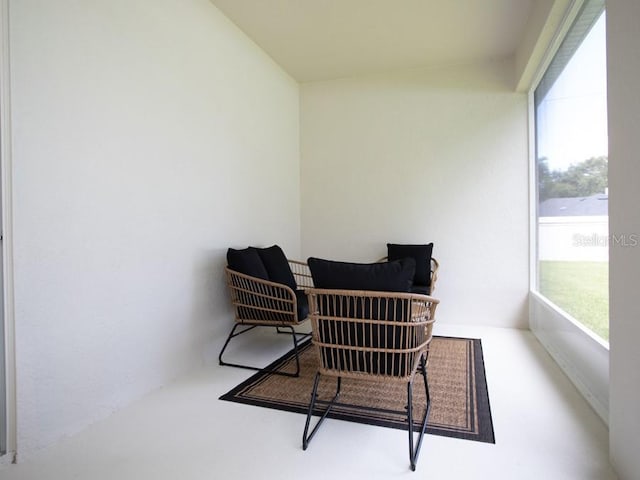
544	430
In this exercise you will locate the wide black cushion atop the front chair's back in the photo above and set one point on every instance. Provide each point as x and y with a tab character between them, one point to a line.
395	276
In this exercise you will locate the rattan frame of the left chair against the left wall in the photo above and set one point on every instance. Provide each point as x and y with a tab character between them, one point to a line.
262	303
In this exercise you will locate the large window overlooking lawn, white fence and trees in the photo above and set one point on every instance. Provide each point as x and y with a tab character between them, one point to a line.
571	163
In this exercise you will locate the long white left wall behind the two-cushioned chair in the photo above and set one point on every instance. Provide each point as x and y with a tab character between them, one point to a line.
148	136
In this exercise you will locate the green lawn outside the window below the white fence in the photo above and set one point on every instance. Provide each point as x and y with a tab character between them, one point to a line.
581	289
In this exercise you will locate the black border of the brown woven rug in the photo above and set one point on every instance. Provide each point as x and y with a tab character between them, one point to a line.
485	432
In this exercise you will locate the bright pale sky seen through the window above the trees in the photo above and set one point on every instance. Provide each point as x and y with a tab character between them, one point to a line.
572	119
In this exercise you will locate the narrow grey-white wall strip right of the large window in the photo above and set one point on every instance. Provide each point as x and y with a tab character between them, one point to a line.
623	43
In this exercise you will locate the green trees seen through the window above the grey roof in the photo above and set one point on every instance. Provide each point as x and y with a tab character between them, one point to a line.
580	180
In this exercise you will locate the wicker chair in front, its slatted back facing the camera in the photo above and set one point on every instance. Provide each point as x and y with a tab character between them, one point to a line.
377	336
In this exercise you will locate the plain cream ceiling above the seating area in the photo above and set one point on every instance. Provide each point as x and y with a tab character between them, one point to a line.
324	39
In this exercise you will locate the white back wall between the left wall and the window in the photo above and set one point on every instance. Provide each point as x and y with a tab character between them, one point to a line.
420	156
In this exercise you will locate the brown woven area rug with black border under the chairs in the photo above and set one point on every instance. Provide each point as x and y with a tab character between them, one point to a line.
457	384
